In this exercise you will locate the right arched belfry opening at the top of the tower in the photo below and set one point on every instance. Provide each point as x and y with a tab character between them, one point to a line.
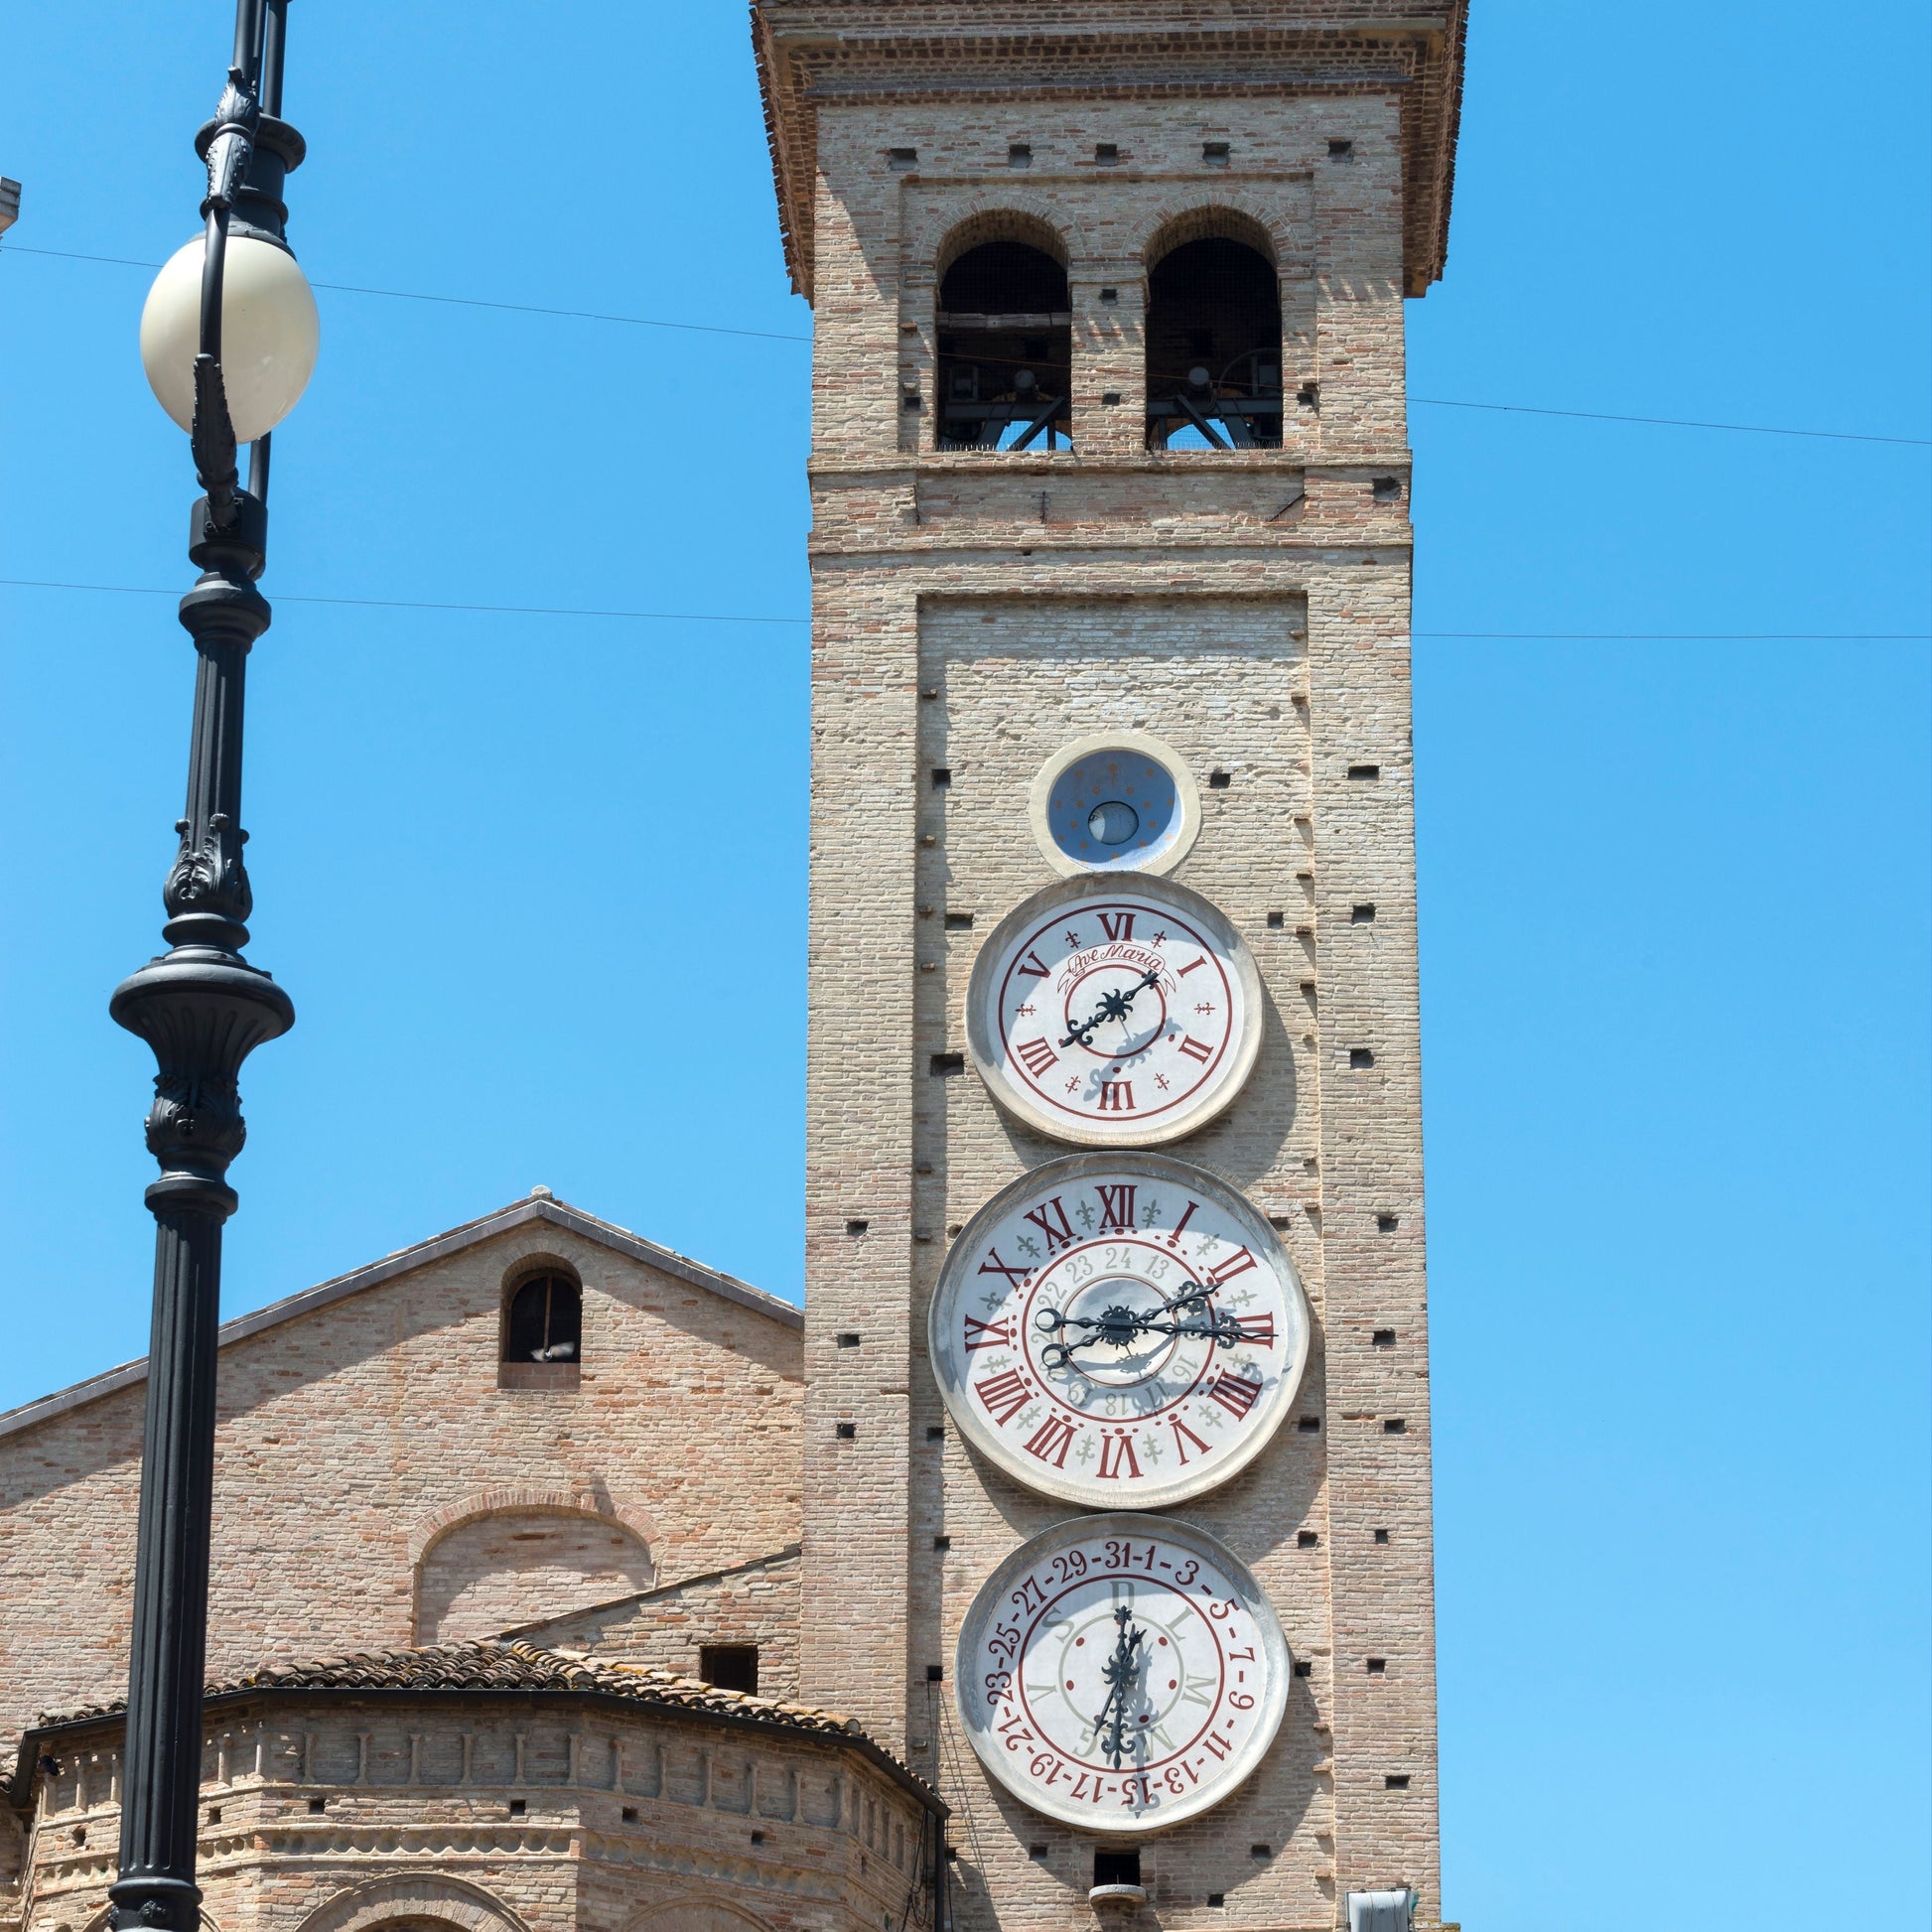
1214	349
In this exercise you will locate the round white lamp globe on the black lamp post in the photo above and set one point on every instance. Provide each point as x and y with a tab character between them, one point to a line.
270	333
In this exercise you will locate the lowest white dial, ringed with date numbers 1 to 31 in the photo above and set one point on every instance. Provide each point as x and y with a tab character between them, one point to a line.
1122	1672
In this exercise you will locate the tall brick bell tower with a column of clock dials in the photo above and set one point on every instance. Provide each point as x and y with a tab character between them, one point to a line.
1112	598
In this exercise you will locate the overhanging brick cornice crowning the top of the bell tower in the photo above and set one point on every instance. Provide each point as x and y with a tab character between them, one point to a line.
812	51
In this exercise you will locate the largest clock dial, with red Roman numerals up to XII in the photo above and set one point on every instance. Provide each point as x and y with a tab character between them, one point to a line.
1120	1330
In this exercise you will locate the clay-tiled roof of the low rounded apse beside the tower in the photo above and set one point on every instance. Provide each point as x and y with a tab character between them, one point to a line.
505	1670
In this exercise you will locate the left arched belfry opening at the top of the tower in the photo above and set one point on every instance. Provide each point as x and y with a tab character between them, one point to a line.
1006	351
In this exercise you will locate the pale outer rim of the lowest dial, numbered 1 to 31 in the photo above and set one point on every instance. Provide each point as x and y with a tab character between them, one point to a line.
1127	1523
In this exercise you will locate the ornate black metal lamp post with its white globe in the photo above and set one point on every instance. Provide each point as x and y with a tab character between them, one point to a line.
229	339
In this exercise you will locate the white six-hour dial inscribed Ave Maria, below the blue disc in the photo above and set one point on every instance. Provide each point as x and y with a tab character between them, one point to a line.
1114	1011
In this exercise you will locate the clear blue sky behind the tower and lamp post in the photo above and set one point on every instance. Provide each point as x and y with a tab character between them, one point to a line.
1676	913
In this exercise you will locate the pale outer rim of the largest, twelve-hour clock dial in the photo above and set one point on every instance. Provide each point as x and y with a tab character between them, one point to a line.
1081	1491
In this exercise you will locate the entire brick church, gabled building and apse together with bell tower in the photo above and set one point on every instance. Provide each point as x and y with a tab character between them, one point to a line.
1069	1560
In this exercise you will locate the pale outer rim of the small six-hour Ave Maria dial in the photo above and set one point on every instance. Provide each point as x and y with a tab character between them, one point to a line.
1064	895
